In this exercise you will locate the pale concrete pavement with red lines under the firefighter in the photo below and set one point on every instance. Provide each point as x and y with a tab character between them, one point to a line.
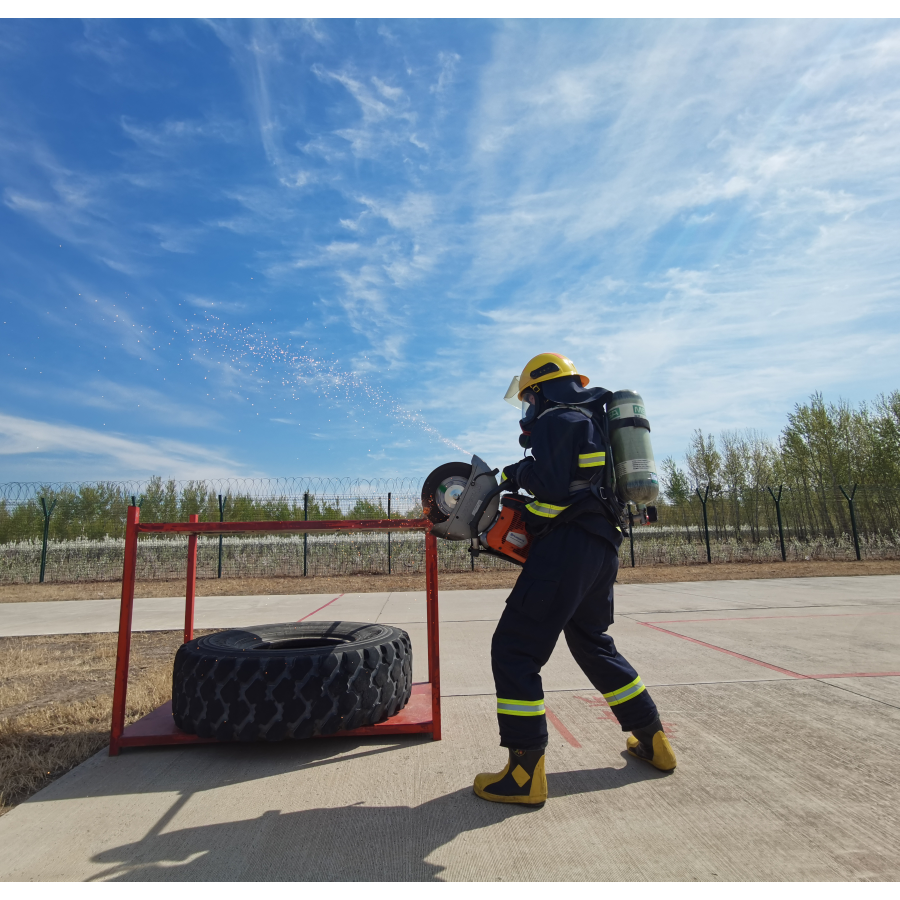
782	699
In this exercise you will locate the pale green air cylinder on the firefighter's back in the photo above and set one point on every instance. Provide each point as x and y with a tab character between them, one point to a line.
629	431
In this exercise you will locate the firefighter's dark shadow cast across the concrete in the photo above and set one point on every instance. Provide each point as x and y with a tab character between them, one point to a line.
346	843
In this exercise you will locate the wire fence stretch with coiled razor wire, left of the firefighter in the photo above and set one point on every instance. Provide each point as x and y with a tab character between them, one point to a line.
85	528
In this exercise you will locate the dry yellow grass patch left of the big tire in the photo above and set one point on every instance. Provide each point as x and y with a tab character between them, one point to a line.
56	699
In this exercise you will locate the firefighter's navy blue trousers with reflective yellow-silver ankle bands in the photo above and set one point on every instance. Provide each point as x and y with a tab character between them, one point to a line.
566	586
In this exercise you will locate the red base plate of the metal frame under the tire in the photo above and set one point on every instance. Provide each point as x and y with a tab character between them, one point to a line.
159	729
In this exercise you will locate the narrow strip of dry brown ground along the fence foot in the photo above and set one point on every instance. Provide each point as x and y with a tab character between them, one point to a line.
450	581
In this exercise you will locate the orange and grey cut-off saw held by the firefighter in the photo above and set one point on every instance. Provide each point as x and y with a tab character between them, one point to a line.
462	500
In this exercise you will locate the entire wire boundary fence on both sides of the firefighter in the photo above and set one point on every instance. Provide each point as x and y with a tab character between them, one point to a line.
75	532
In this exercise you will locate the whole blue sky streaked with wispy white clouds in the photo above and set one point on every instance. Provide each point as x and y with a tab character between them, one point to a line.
324	247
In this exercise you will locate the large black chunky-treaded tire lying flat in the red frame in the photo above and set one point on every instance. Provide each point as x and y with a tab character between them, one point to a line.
291	681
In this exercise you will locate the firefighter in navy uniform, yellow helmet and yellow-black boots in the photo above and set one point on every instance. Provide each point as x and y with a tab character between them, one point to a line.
566	585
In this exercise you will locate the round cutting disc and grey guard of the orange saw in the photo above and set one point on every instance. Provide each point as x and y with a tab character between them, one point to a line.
453	492
